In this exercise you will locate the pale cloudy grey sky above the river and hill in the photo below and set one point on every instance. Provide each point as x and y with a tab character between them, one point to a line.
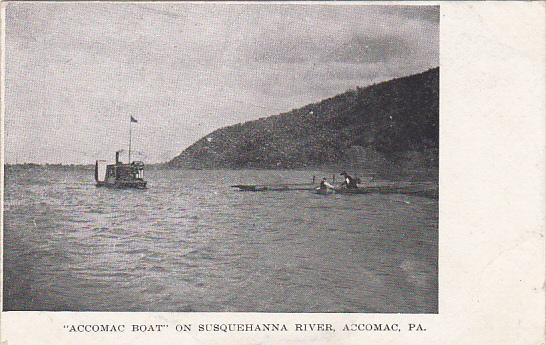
76	72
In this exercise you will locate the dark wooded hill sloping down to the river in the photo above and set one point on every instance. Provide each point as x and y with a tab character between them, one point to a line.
391	122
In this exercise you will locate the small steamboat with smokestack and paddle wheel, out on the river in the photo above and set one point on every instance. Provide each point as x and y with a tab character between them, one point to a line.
120	175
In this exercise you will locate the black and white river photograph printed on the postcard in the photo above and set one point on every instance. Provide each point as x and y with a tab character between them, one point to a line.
221	157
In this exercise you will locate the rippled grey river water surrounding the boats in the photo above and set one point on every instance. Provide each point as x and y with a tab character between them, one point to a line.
191	243
